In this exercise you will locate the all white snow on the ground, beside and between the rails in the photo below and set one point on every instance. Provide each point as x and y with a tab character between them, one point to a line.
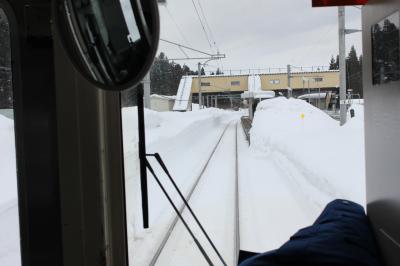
299	159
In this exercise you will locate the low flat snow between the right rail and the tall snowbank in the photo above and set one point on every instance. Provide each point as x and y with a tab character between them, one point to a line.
270	210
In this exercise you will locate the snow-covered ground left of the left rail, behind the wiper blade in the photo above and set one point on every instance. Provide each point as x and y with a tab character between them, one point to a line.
185	141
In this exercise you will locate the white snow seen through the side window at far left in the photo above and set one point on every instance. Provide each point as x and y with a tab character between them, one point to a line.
9	229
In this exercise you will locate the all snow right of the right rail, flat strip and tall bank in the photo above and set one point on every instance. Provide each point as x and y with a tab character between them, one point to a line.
299	160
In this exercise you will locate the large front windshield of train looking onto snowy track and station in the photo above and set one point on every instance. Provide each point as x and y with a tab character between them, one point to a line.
242	112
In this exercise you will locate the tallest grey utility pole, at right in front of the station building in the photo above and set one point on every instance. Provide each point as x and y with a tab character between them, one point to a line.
342	64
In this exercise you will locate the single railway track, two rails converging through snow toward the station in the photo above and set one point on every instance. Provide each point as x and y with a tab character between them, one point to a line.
219	260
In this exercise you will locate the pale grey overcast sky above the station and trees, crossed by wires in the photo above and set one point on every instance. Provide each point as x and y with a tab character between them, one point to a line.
258	33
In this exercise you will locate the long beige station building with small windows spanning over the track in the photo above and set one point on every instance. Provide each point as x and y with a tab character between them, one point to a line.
224	90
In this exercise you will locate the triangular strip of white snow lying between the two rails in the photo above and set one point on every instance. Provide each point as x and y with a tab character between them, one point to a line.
214	203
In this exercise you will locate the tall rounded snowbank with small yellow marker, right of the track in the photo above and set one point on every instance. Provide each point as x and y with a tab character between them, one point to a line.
330	158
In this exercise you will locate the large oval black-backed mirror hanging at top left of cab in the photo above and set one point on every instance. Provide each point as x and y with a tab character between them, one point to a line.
111	42
